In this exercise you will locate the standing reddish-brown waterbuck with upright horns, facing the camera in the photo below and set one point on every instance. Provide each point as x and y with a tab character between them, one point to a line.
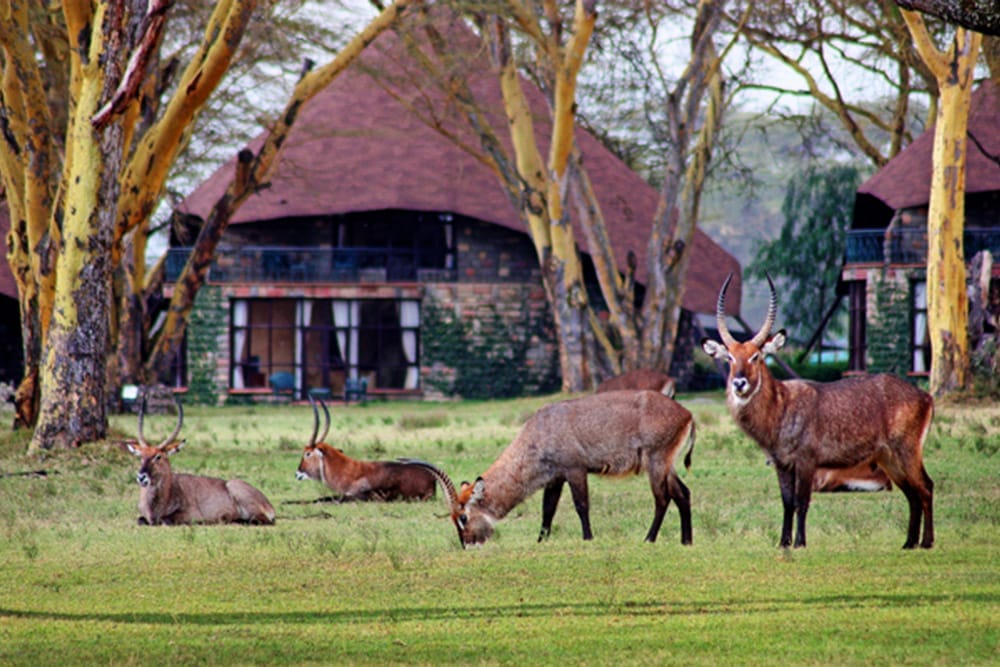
803	426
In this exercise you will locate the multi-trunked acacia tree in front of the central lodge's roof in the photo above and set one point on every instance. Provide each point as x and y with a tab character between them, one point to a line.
549	47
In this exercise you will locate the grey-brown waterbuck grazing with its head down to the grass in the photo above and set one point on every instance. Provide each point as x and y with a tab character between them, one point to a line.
617	433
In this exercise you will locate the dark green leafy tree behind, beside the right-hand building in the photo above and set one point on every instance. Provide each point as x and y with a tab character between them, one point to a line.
807	256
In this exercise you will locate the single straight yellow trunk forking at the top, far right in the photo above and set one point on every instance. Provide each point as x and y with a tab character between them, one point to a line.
947	300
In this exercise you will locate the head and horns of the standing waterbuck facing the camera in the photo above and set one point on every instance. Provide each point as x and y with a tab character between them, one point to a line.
747	368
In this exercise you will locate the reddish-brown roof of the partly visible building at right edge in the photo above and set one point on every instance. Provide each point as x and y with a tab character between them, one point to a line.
905	181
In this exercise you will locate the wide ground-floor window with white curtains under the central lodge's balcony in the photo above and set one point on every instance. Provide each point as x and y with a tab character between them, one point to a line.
322	342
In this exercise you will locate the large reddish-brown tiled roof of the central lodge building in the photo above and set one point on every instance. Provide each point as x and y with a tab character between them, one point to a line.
356	147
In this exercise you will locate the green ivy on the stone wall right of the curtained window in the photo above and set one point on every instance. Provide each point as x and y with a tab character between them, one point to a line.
482	362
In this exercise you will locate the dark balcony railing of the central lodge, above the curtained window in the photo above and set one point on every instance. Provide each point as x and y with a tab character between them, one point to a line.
314	265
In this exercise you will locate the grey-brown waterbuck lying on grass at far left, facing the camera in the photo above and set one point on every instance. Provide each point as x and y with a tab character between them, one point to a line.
168	498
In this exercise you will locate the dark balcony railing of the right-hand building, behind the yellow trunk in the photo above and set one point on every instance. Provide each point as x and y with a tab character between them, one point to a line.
909	246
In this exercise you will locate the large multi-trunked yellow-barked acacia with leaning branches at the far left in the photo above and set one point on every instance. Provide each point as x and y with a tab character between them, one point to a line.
74	217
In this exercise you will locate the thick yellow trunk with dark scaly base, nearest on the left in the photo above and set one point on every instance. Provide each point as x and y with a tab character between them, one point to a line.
74	353
